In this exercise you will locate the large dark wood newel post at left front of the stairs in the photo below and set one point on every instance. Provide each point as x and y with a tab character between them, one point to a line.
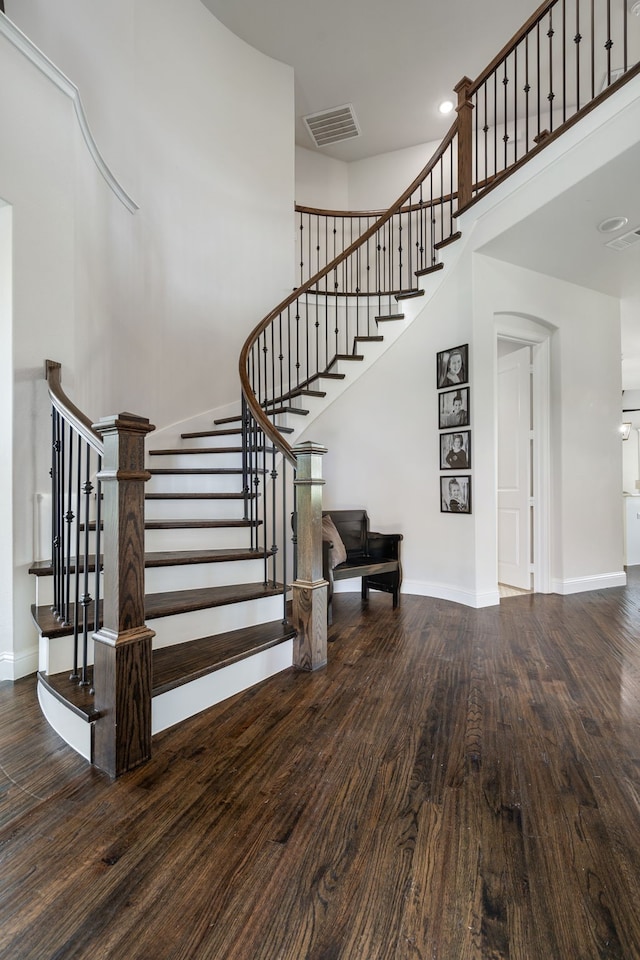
122	646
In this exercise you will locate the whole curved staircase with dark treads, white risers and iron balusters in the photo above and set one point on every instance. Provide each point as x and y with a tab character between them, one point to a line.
216	525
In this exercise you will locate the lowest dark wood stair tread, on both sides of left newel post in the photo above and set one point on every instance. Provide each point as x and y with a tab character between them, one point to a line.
179	664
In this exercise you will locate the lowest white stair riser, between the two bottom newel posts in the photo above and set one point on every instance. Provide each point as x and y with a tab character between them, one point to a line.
191	698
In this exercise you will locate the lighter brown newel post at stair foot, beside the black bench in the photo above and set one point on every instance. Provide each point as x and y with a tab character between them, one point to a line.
310	588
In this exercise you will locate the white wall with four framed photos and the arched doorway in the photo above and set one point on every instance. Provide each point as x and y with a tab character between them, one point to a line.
382	434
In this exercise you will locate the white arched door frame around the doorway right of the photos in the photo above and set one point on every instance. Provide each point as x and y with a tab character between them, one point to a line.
530	331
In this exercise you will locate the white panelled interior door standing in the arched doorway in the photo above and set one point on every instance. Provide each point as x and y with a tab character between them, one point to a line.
514	468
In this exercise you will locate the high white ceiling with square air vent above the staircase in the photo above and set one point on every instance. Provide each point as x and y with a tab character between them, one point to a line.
394	61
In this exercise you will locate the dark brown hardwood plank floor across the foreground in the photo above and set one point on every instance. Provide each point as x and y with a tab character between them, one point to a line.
456	784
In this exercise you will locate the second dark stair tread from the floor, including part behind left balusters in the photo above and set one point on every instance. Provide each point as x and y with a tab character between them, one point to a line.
166	604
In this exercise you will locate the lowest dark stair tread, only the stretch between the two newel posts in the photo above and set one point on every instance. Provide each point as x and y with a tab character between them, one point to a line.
184	662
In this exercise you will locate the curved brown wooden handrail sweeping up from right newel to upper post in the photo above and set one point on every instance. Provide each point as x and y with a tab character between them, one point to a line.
258	413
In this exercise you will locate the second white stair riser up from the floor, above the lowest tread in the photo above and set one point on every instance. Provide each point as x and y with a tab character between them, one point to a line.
205	623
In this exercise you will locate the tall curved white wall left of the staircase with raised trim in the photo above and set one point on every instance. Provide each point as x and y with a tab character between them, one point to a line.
145	310
